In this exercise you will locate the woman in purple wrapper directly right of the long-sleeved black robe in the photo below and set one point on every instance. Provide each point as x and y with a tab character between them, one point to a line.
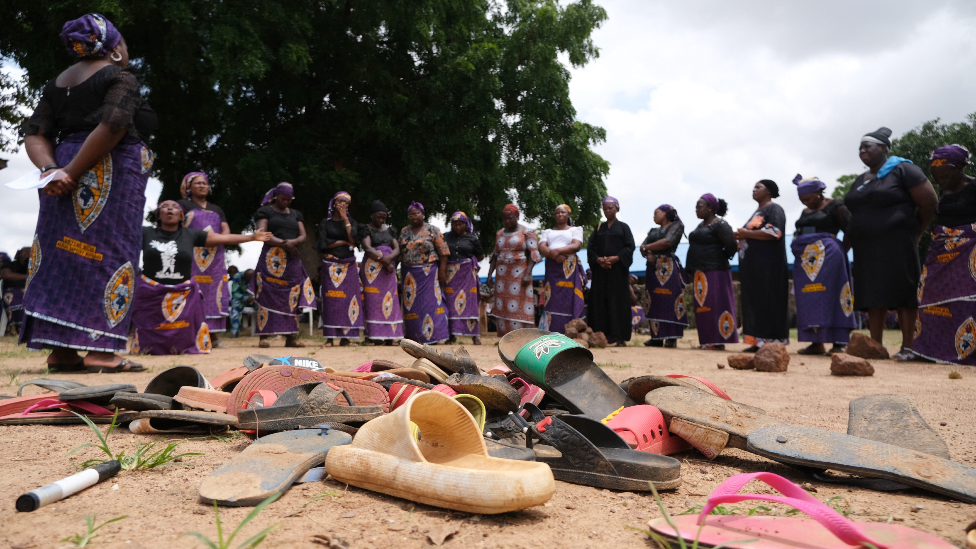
665	280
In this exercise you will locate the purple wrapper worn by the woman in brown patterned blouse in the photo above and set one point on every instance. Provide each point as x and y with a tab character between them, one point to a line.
424	313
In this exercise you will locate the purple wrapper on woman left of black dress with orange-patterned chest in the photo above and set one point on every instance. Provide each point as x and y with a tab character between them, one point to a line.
714	302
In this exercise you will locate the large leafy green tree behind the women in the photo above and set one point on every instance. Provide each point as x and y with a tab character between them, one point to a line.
459	104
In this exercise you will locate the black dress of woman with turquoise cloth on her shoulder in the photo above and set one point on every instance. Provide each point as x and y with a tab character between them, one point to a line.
883	232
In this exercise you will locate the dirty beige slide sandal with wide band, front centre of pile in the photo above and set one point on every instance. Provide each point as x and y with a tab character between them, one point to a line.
448	467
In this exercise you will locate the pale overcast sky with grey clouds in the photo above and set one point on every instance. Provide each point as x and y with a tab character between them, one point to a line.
711	96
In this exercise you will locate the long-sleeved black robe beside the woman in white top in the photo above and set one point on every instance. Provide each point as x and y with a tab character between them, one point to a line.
608	302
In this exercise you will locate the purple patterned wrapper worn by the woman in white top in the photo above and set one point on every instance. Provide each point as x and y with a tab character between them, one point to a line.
562	294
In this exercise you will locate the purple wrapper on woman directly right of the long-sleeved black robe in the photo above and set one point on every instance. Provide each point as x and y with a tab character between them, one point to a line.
665	282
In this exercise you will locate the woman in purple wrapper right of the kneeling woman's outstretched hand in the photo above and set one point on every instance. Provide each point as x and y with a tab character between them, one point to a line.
280	286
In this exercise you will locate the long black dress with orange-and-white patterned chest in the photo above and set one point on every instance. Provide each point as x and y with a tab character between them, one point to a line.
765	278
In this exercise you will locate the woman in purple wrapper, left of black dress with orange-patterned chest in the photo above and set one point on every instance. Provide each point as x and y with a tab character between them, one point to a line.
711	245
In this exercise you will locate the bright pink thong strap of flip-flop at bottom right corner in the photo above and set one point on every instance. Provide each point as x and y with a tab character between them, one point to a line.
846	530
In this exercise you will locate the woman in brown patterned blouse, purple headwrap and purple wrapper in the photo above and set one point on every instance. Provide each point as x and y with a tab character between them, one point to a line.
424	254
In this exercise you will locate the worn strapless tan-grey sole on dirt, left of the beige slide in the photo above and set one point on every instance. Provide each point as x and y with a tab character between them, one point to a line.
269	466
